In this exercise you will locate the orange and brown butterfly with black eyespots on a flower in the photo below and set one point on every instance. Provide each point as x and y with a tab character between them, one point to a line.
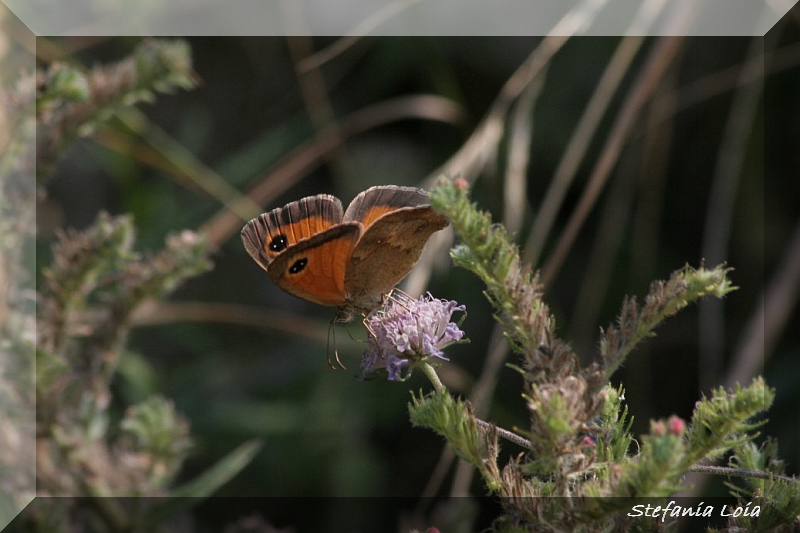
351	259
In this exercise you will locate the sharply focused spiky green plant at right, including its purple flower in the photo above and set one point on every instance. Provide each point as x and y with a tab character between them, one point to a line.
578	470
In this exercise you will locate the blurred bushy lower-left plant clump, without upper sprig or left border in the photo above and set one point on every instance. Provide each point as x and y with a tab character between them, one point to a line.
89	294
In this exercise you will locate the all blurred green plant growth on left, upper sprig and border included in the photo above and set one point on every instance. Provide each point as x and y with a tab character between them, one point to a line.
84	305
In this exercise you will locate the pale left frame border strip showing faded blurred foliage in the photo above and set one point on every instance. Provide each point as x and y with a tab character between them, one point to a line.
17	300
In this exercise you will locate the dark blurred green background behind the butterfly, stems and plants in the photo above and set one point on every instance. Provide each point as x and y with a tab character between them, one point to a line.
242	359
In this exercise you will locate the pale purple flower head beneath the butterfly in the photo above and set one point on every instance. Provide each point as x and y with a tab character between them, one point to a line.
406	330
